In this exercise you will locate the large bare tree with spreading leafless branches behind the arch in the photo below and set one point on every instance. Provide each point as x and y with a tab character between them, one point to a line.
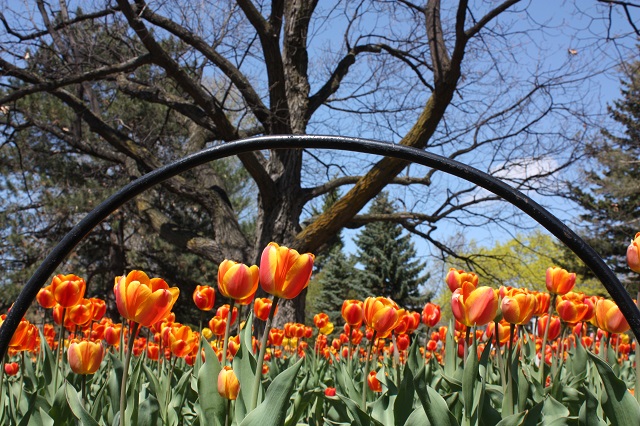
458	78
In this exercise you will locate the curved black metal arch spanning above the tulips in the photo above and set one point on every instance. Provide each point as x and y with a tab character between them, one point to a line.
518	199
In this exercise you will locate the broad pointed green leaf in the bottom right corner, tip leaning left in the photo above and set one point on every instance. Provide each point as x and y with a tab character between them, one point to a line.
619	405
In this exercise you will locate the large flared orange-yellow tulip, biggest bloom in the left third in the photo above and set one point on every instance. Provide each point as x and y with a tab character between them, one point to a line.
143	300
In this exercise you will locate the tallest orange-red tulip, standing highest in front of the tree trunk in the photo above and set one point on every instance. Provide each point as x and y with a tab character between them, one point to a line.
284	272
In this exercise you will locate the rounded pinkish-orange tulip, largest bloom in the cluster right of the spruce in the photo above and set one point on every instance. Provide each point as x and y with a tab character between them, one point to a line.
474	306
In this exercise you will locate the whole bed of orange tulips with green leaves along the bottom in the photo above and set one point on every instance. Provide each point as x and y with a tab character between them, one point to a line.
509	356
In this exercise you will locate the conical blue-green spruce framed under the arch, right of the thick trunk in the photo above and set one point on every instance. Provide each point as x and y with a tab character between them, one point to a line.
388	259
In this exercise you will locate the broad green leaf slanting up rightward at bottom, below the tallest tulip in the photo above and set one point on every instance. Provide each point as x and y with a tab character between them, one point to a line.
273	410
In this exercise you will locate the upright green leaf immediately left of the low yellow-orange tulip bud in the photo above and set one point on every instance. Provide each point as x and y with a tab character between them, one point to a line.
212	405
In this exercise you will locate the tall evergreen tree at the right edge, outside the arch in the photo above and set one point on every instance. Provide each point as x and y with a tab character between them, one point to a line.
611	198
